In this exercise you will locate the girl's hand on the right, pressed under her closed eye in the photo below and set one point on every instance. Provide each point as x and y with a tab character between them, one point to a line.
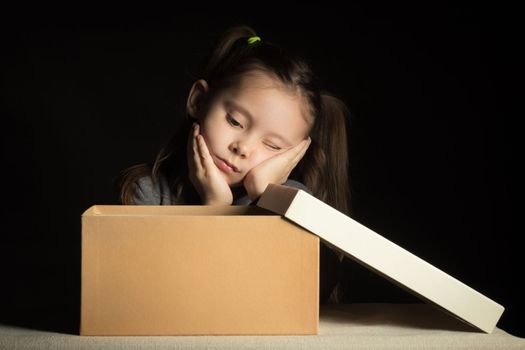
274	170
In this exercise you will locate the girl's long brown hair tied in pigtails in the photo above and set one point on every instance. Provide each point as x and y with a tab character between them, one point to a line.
323	168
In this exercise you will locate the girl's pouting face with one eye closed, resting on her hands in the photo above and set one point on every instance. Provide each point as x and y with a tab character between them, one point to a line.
251	122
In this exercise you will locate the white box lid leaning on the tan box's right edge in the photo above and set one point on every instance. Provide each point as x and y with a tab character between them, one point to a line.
382	256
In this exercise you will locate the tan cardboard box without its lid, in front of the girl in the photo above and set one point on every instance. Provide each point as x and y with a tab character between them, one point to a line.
197	270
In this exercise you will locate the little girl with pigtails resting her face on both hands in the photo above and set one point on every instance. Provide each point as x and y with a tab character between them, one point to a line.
255	116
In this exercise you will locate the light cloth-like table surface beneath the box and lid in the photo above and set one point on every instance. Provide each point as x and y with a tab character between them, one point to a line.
341	326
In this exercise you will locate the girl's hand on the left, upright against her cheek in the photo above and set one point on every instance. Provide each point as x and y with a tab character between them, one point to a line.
204	174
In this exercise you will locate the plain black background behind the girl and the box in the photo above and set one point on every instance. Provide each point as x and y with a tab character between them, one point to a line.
89	91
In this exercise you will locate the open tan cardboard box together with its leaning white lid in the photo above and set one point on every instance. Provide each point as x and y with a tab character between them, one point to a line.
239	270
